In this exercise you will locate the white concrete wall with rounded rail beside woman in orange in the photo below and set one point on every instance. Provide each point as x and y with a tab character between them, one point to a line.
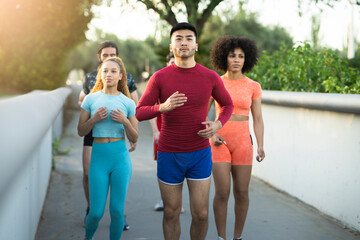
312	145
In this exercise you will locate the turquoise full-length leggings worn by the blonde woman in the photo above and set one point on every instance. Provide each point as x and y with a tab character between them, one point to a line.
110	166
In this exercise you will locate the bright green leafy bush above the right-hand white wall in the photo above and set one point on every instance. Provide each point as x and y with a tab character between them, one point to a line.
301	68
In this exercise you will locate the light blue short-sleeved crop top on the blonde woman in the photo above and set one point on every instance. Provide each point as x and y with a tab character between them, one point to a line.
108	127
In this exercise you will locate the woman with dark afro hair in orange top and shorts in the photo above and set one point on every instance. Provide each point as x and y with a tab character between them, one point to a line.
231	146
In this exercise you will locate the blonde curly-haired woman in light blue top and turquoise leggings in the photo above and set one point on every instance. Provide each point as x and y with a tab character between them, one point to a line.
110	113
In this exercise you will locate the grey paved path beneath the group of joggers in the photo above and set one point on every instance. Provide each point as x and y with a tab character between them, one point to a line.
272	215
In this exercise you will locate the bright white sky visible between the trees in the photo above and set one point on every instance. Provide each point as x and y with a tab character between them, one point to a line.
334	23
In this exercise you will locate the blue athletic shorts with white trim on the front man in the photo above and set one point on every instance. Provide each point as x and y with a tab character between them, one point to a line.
173	168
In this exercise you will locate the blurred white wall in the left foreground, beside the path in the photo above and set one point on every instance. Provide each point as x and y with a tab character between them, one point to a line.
28	125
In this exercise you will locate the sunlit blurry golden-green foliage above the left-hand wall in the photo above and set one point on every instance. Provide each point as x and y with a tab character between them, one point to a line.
35	37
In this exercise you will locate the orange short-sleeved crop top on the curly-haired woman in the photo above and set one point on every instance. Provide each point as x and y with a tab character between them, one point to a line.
242	92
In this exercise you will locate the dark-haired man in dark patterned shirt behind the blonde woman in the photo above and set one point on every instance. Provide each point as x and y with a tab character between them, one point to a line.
105	50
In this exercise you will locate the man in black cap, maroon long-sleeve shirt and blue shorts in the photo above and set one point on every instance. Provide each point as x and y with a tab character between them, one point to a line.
183	90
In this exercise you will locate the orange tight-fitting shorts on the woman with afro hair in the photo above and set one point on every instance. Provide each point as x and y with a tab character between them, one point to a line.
238	149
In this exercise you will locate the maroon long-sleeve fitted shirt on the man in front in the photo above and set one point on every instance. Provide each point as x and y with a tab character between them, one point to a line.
180	126
